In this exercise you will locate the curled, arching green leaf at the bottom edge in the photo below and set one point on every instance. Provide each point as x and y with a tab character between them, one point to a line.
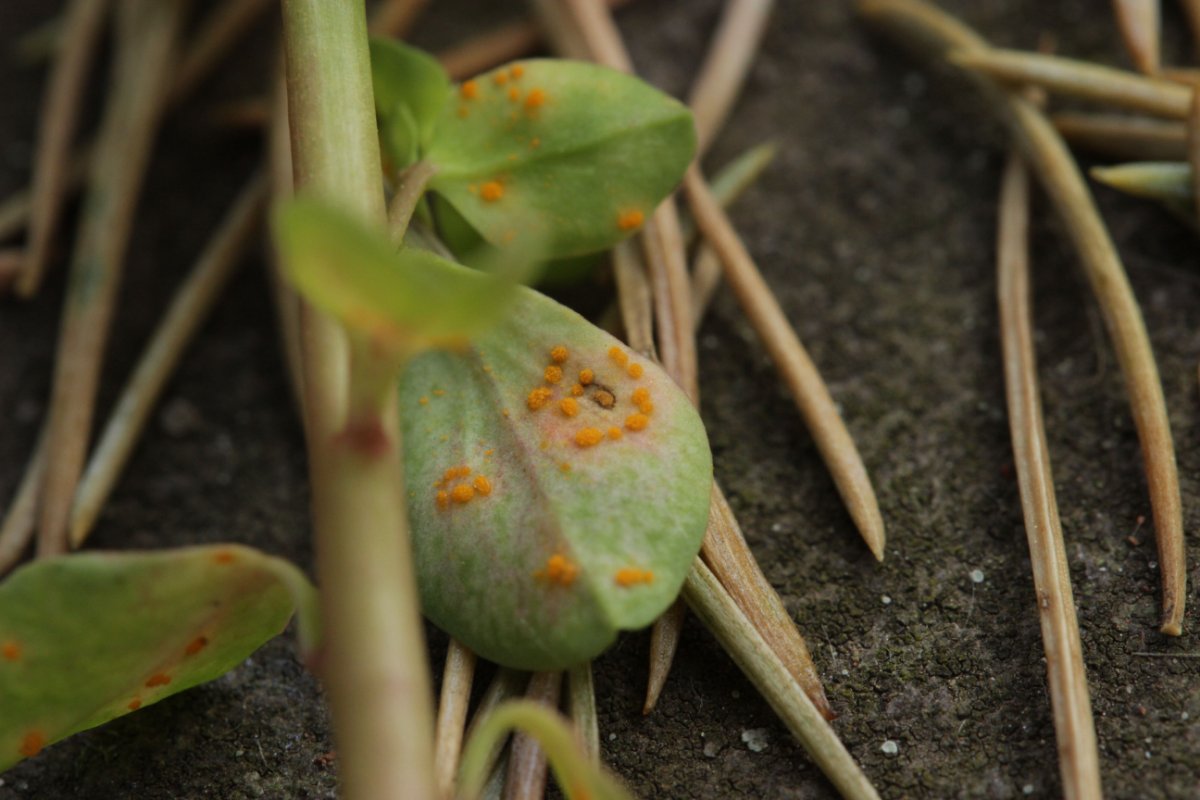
578	778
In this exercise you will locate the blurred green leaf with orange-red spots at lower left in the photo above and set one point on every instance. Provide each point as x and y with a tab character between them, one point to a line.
91	637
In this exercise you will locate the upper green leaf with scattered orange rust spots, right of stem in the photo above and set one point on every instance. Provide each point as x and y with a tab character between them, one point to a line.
566	153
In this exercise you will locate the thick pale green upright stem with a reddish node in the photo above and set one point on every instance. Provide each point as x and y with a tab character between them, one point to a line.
374	665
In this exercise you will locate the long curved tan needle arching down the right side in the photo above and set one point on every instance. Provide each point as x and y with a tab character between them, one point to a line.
921	25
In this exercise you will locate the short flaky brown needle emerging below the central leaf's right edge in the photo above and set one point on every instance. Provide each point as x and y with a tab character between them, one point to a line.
727	554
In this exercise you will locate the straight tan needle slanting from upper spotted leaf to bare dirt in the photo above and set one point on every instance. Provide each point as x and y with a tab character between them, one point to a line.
794	364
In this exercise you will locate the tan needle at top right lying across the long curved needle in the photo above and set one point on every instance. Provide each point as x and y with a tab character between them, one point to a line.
1081	80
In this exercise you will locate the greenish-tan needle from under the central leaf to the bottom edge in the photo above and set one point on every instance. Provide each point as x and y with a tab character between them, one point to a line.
760	664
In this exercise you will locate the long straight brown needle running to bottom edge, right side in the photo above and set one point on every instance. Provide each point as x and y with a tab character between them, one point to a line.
1075	729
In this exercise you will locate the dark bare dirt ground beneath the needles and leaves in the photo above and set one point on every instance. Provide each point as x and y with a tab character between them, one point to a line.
875	226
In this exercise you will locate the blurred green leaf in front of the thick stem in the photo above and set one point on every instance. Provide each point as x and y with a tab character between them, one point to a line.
404	300
